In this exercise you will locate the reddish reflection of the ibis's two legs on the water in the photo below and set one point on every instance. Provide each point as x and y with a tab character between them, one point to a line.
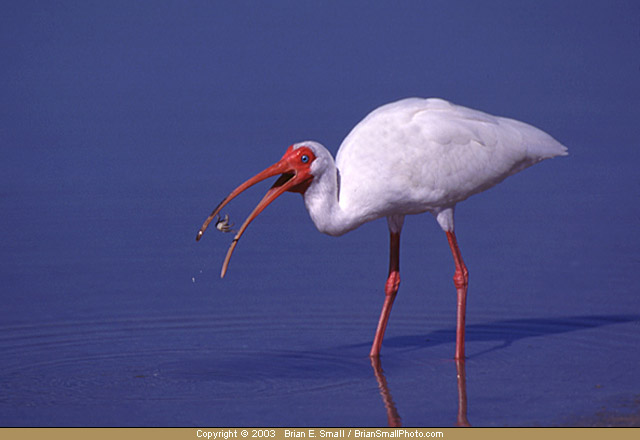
393	417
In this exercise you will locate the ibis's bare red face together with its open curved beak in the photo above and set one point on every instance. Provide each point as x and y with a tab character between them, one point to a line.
295	176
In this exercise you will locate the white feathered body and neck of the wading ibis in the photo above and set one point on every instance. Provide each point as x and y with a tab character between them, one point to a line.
418	155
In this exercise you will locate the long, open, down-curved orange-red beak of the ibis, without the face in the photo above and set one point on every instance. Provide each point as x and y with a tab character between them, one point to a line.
289	179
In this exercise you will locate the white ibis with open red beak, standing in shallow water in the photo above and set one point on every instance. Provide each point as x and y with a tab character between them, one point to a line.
407	157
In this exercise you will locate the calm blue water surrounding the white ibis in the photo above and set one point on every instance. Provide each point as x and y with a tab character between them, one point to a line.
124	125
